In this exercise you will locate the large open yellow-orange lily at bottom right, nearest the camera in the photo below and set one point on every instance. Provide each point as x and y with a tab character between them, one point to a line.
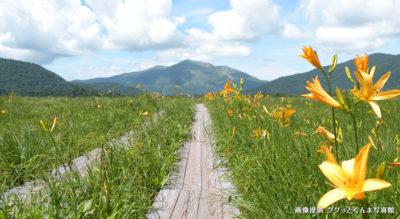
349	179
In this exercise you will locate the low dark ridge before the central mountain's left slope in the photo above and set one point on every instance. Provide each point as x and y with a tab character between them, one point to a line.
106	87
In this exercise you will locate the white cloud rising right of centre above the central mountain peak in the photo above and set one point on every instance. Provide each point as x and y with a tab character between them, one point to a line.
245	21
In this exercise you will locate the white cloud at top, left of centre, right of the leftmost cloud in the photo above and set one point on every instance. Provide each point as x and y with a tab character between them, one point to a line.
138	24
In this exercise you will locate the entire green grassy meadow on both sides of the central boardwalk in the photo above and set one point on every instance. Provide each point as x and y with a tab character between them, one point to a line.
272	158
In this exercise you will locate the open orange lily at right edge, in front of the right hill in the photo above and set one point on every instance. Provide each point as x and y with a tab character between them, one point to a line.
370	93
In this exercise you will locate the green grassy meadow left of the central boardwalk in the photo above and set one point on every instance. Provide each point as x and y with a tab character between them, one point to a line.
124	183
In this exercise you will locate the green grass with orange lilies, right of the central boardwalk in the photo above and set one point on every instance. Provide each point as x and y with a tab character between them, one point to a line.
274	165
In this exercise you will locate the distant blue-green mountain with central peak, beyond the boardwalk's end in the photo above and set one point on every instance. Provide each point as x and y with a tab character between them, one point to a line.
193	77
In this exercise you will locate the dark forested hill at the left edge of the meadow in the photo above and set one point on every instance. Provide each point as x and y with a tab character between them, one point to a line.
26	78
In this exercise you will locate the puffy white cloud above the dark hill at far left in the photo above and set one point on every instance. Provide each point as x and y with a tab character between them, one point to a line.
40	30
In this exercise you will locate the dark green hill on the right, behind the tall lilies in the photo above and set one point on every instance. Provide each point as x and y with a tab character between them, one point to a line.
294	84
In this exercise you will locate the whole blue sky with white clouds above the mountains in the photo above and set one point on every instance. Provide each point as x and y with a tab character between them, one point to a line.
82	39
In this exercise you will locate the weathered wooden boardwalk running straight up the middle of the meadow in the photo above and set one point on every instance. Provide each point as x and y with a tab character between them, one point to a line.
198	189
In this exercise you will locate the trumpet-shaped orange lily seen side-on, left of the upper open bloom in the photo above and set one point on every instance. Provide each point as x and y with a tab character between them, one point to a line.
319	94
